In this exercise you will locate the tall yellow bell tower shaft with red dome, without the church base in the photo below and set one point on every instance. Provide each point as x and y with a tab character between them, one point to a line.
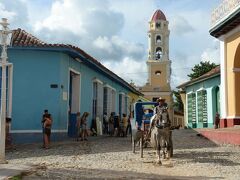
158	63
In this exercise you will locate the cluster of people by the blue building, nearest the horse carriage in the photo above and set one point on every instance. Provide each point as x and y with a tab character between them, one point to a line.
114	126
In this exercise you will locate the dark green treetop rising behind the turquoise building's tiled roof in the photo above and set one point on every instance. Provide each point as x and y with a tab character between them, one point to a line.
201	68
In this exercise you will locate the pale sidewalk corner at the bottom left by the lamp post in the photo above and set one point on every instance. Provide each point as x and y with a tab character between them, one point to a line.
10	170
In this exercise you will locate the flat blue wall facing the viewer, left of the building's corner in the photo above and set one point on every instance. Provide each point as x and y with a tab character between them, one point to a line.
33	73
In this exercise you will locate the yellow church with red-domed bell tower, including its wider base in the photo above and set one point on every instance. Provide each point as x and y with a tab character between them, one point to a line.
158	63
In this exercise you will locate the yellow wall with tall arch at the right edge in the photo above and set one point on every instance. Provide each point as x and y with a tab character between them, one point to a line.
233	78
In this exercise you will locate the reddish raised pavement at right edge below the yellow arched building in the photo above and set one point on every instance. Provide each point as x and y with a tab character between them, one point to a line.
222	135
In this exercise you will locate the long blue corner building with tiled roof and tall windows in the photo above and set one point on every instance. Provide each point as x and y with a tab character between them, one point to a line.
63	79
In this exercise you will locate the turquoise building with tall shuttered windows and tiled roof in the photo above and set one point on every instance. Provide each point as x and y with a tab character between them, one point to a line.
201	98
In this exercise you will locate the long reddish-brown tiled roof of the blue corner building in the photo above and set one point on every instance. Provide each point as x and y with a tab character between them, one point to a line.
21	38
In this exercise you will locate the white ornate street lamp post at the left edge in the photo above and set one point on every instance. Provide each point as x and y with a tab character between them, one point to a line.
4	43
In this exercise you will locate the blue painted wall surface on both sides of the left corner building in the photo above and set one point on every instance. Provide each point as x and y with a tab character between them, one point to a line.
33	73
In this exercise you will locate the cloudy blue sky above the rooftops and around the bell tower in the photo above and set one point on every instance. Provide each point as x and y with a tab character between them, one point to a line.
115	31
